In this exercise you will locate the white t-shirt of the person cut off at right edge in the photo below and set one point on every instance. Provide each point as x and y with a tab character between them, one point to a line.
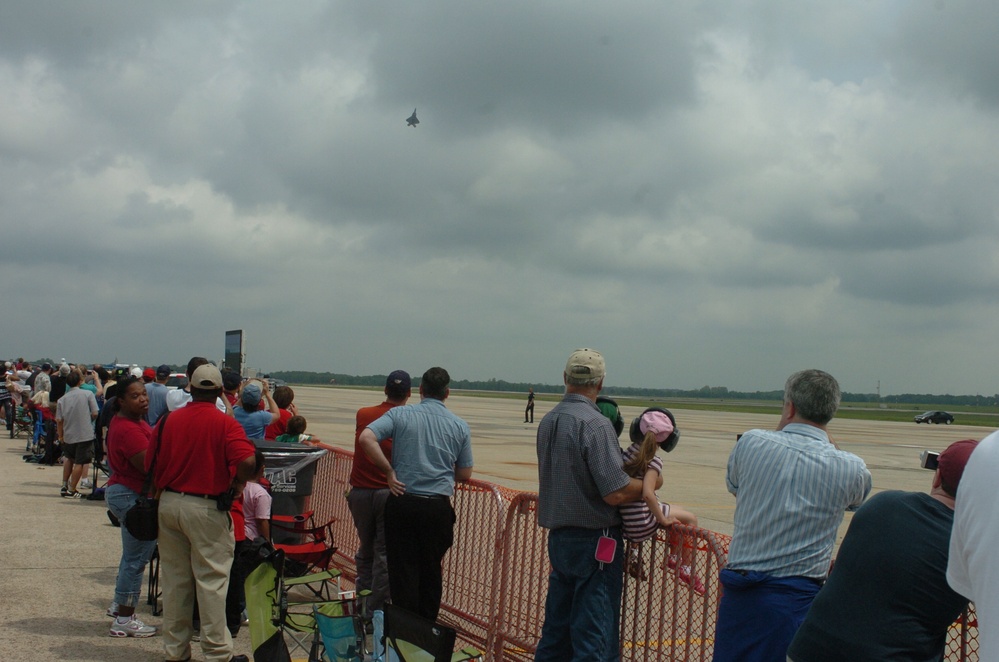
973	565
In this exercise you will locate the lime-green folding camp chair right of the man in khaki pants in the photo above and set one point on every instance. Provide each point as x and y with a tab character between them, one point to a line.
277	621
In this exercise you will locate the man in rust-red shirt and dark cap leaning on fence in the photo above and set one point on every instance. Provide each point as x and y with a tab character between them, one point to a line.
368	493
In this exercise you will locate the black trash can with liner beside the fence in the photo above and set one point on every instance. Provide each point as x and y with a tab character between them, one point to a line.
291	470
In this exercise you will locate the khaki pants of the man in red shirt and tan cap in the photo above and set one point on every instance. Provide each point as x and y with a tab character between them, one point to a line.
196	550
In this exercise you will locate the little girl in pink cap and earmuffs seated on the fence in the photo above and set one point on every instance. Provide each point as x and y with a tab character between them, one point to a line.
654	429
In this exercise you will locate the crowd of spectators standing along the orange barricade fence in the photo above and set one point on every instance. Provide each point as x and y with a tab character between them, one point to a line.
901	577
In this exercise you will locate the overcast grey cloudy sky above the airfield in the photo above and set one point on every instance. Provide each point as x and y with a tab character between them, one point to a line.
710	193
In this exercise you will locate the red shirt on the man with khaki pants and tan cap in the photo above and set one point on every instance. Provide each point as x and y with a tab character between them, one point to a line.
200	449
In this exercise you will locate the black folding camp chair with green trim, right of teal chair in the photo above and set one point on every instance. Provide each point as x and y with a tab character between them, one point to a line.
411	638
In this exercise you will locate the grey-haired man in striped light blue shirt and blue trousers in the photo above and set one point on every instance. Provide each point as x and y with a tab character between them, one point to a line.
792	487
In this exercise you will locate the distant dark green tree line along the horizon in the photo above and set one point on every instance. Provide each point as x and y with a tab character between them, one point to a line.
705	392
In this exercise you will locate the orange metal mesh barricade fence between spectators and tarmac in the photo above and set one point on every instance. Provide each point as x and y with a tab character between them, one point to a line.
496	576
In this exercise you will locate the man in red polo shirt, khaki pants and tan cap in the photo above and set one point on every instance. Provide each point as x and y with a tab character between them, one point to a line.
202	455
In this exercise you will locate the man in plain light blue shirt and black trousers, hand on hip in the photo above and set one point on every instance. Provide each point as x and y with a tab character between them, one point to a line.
431	449
